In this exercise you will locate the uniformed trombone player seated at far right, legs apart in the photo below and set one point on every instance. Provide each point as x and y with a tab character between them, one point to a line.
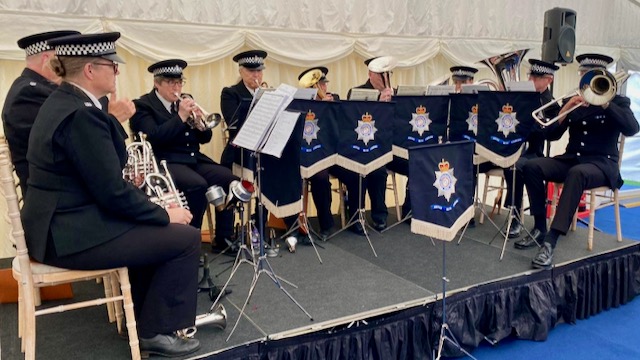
590	159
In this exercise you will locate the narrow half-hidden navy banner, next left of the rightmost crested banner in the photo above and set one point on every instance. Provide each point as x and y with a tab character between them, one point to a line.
463	117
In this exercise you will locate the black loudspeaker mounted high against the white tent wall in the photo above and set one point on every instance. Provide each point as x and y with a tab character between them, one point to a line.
559	37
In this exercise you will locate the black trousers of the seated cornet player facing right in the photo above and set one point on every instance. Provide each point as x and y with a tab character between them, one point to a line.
194	180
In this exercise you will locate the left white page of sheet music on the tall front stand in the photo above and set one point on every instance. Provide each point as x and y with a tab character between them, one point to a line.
259	121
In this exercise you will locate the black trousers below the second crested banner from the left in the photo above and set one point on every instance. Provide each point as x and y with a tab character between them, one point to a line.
375	183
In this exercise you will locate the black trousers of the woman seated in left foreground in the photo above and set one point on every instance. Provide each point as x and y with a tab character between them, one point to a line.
163	269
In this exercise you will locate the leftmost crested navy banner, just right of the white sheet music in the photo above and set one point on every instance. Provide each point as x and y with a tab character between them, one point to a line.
319	135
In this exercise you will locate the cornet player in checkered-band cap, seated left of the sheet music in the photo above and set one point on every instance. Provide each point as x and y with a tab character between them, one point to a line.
163	116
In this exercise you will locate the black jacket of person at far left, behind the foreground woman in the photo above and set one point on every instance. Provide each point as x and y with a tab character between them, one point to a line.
27	93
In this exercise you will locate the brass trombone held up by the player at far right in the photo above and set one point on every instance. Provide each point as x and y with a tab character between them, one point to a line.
597	87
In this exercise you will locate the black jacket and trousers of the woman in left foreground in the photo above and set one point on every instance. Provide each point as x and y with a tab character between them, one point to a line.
79	213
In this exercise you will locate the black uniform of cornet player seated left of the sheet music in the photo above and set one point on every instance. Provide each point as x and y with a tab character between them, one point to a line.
178	144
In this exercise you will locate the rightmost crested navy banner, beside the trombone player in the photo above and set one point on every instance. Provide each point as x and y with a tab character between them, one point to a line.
504	123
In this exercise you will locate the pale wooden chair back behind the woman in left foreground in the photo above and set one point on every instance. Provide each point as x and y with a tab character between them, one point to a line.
8	189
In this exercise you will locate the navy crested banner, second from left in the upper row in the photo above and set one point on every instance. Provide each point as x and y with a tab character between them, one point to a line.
365	135
